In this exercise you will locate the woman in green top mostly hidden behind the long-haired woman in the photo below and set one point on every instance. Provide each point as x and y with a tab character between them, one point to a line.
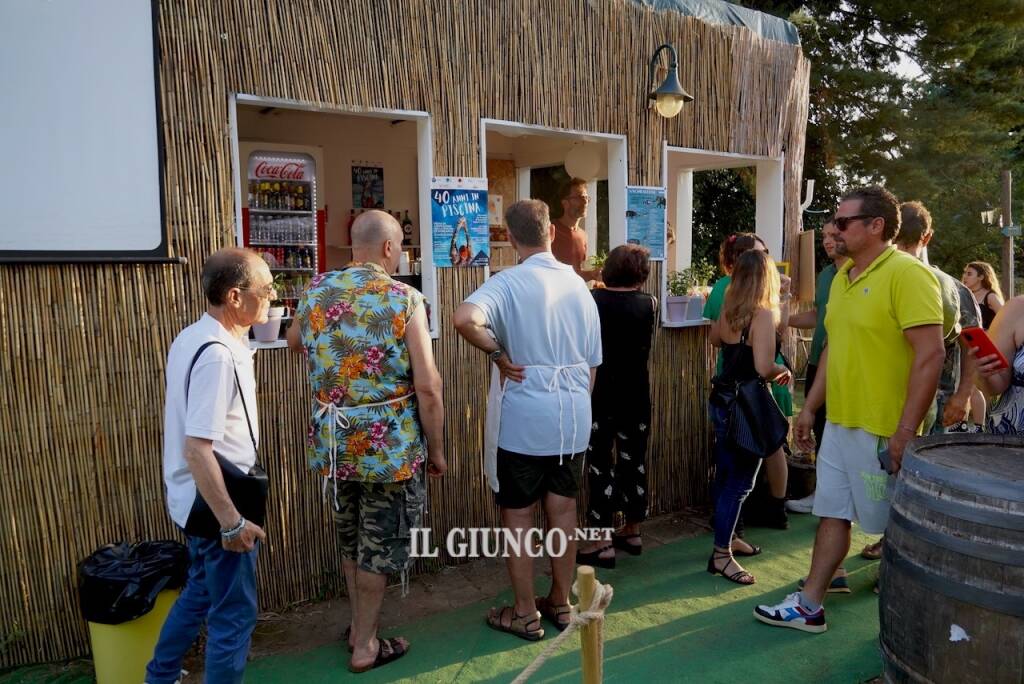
777	469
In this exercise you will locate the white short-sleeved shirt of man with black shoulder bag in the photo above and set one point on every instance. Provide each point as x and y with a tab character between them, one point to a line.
215	409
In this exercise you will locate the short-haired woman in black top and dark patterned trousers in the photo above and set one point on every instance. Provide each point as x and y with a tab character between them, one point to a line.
621	406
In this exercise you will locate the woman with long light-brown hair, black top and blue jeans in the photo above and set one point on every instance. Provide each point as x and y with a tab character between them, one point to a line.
746	332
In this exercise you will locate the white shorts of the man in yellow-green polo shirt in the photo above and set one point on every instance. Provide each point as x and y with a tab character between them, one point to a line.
852	485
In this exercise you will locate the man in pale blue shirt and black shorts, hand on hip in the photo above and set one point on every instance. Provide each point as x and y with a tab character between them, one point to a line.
539	324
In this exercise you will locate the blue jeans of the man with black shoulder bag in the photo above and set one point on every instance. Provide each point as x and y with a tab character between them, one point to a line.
222	592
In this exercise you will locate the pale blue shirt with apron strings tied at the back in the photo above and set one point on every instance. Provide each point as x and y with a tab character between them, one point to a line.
544	316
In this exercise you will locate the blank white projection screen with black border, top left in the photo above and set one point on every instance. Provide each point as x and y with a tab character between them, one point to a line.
81	167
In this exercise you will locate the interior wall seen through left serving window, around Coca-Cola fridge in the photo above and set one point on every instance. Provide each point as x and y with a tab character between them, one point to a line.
345	139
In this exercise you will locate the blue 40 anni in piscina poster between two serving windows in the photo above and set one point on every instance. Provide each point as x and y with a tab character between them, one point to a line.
459	222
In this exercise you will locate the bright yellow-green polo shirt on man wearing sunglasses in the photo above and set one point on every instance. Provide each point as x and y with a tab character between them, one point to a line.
870	360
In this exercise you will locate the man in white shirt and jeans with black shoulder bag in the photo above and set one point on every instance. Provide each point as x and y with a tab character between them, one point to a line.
211	432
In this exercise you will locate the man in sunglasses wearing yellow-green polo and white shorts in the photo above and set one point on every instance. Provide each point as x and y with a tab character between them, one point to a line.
882	367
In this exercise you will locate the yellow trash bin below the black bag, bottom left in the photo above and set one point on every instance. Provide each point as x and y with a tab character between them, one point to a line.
120	653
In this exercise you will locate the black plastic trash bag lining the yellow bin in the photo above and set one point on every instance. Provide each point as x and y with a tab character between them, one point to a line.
120	582
